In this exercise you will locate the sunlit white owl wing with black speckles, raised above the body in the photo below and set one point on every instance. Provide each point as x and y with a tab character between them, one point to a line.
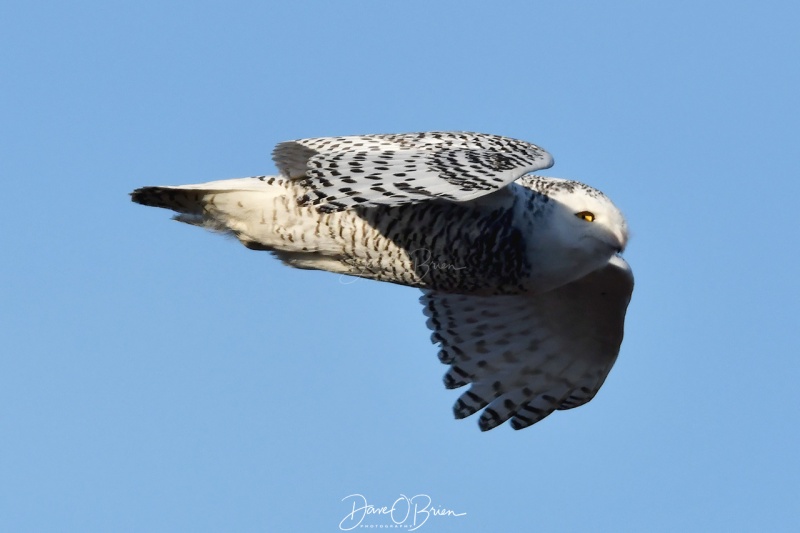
342	172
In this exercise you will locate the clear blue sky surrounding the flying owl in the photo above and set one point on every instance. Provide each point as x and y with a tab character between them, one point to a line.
154	377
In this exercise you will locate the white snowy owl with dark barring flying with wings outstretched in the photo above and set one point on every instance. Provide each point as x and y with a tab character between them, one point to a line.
524	286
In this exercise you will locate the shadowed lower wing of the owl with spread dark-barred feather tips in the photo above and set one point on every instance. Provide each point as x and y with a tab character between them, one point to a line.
528	355
